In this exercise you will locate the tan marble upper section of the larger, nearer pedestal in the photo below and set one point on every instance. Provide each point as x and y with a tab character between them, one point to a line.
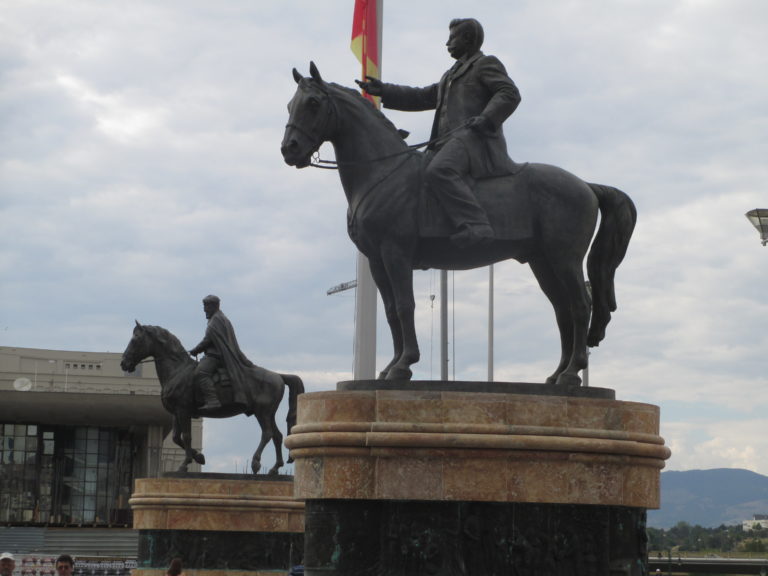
522	443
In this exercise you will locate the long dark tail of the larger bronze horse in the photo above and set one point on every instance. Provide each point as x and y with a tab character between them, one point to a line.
618	217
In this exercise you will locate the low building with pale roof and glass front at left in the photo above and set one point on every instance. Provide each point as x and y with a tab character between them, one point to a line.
75	431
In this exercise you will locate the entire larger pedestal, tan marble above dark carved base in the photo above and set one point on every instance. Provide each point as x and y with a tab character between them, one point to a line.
475	479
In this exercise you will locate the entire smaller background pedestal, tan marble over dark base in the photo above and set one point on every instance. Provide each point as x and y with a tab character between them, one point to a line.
218	524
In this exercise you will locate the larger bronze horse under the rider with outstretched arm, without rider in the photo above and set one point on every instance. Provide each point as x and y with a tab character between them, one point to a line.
553	215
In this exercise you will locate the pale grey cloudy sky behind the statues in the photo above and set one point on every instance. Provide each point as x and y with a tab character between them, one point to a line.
140	170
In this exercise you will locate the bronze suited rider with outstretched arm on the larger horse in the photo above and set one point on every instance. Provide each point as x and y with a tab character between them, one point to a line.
471	102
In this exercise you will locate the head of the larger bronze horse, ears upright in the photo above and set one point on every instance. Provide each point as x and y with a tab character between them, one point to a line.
310	118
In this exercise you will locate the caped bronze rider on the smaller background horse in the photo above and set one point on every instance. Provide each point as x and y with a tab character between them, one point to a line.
221	350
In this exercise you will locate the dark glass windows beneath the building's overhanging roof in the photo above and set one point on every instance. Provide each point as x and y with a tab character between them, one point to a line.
65	474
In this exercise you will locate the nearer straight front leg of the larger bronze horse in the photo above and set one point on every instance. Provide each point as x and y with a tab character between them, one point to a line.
399	271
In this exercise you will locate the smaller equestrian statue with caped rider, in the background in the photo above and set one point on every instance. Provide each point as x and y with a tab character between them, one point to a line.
189	390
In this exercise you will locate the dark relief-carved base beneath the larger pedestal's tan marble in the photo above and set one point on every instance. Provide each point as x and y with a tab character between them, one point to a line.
391	538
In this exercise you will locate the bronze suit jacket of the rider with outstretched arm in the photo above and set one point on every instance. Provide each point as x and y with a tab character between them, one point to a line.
478	86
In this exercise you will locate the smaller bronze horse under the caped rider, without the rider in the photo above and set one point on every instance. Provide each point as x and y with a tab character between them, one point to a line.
176	369
